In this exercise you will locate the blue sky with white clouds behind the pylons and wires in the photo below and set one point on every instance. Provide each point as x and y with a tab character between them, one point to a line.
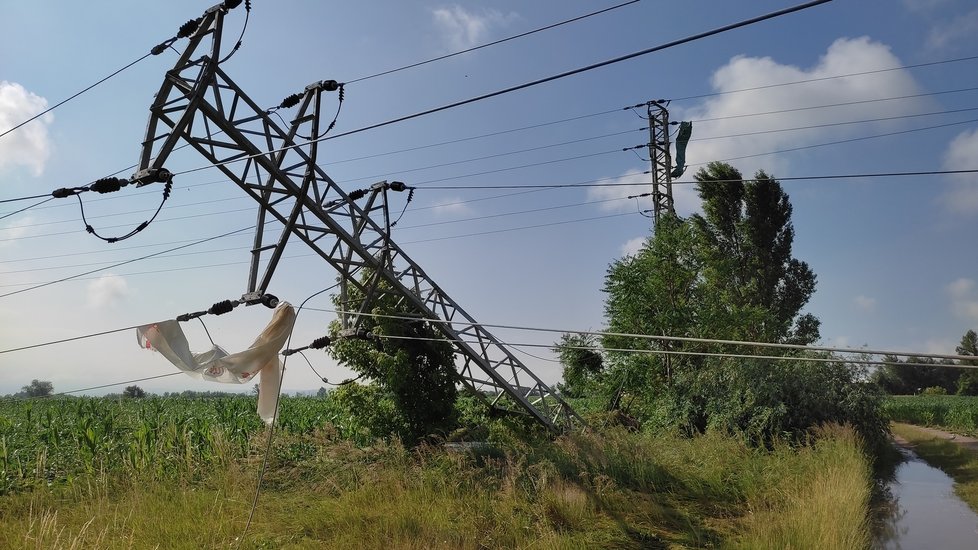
895	257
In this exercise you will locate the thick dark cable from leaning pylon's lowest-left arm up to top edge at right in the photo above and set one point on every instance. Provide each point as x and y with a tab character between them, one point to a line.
667	45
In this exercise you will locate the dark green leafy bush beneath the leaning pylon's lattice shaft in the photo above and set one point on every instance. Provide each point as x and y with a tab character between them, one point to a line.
410	365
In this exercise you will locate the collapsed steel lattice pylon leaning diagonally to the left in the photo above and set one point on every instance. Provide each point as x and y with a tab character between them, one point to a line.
200	105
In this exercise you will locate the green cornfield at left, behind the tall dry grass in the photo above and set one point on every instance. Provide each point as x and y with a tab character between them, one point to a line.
50	441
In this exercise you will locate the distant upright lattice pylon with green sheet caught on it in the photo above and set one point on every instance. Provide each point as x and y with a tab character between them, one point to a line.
661	159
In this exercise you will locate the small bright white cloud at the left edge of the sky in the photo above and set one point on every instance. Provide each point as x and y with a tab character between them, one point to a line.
29	145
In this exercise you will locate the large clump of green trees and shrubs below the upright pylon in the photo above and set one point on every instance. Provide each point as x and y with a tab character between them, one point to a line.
728	274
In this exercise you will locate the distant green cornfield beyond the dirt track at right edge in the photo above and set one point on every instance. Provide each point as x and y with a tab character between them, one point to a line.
955	412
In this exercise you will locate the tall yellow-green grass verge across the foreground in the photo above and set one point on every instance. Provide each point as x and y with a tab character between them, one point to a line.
608	490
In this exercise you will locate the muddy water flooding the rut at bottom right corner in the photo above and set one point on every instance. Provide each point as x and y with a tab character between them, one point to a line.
925	513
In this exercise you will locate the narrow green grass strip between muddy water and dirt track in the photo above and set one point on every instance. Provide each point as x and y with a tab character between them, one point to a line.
956	461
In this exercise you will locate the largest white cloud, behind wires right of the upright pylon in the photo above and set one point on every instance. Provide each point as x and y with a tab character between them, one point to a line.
844	56
